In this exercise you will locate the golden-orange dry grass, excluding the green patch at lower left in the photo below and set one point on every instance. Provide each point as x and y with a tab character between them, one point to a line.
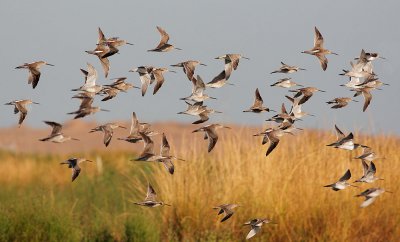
287	187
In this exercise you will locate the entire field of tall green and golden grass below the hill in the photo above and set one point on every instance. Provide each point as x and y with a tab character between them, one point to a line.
38	202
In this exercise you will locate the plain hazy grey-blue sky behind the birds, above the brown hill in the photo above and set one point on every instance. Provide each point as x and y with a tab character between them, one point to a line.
265	31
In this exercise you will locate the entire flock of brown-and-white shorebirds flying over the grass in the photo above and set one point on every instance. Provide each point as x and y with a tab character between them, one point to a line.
362	80
